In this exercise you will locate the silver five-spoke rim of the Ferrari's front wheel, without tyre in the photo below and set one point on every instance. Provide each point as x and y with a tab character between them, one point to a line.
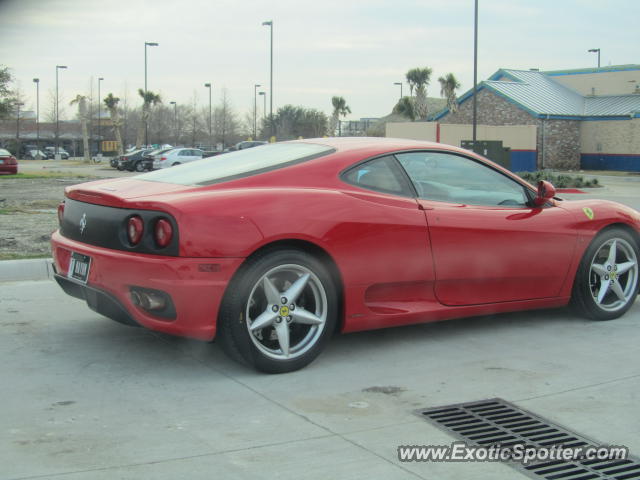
613	275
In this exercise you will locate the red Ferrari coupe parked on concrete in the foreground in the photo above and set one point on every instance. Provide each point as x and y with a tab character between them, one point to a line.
271	250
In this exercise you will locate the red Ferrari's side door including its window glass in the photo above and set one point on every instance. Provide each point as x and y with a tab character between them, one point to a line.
488	244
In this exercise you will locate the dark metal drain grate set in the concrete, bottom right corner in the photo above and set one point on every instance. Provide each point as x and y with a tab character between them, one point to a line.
498	422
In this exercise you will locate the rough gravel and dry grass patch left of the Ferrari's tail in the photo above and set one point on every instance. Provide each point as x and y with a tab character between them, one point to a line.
28	214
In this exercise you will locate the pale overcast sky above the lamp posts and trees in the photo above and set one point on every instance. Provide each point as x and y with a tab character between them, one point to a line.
352	48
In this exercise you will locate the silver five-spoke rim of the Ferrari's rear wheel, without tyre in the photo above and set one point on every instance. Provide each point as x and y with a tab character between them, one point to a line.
286	312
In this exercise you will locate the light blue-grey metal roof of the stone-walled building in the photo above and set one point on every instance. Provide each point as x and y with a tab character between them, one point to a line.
540	94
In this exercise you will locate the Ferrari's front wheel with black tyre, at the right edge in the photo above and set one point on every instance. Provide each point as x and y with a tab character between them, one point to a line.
606	283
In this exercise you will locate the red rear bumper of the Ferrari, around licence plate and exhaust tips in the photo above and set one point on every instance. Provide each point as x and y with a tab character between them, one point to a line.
196	286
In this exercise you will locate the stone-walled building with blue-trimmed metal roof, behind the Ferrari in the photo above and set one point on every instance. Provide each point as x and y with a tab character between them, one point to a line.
587	118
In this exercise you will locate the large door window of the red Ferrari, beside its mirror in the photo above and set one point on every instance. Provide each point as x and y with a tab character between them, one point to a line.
453	178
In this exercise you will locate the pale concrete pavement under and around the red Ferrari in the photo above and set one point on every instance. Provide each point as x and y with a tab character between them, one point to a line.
84	397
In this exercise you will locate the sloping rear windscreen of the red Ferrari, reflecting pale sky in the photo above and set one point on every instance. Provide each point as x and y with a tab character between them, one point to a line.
242	163
